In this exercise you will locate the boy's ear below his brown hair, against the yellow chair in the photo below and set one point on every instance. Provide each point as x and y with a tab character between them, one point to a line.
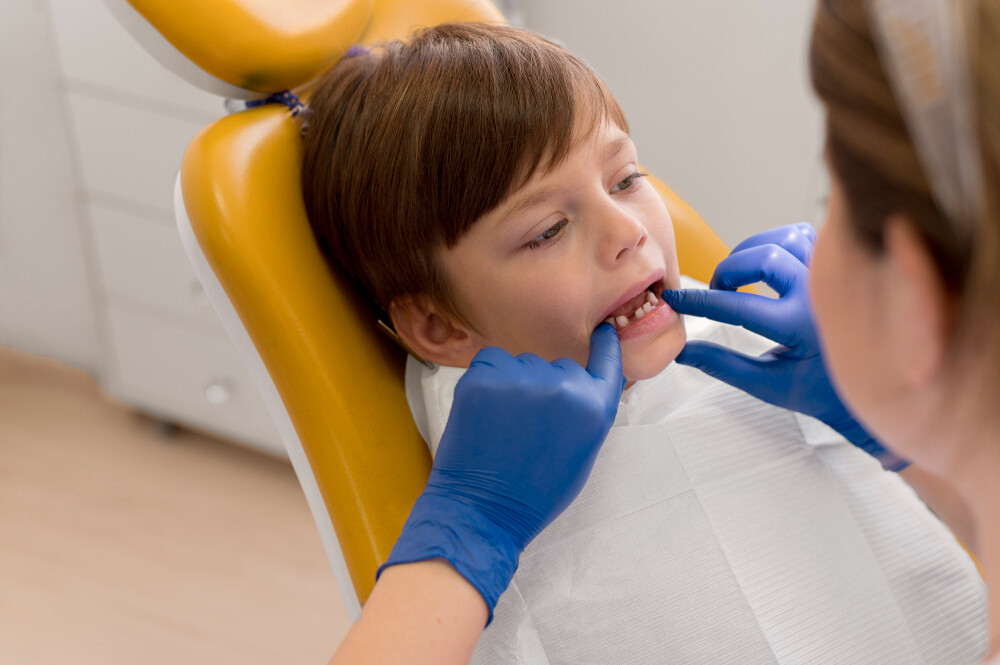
430	331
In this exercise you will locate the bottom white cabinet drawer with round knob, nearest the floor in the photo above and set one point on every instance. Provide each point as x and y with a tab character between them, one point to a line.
186	375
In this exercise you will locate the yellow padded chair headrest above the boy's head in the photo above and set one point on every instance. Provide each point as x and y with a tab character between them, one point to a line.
247	49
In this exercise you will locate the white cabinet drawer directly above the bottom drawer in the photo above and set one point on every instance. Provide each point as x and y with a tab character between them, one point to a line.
144	260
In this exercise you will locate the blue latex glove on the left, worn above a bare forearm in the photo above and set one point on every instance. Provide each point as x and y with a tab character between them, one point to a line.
519	445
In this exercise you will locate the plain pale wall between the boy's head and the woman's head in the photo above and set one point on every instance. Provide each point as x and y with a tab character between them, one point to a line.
717	95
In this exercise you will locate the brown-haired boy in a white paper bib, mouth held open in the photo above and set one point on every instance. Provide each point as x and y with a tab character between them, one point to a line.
479	184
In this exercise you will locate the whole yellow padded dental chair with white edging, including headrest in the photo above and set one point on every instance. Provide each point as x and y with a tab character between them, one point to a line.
332	382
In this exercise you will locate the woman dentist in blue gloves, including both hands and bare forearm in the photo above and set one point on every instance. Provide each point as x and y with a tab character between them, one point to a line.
903	283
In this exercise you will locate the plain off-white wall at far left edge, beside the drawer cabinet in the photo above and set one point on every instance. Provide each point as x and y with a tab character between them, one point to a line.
46	299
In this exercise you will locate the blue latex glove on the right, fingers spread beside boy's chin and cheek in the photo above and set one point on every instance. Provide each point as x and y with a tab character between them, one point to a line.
792	375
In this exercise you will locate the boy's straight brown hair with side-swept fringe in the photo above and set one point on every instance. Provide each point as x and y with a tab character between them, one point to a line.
409	144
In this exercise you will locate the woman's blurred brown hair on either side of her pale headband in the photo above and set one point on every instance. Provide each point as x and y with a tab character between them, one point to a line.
872	153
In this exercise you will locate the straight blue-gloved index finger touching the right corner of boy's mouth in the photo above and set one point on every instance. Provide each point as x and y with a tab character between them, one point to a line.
755	313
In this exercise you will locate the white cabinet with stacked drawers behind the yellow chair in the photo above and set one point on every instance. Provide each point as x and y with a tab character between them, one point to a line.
128	122
